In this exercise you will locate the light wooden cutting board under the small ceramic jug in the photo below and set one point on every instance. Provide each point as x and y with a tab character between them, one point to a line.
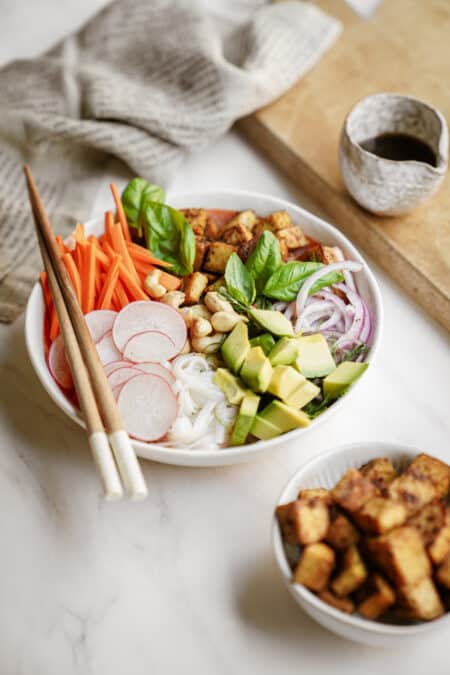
404	47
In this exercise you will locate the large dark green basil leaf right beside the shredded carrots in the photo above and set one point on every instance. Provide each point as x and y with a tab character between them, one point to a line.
169	236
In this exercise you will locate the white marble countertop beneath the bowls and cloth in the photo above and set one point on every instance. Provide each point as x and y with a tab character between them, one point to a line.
186	581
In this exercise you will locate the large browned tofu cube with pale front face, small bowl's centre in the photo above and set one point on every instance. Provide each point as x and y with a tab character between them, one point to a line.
401	555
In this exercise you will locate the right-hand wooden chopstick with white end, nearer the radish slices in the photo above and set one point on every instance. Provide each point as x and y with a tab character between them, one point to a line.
125	456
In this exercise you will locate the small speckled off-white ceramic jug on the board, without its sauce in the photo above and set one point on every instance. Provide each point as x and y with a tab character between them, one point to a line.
387	186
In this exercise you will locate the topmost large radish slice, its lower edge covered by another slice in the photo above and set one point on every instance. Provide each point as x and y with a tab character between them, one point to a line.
145	315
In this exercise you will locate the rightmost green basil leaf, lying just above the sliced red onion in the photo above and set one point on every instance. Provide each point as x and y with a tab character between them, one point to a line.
285	283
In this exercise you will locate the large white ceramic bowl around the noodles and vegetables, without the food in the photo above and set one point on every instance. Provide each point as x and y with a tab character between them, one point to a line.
234	200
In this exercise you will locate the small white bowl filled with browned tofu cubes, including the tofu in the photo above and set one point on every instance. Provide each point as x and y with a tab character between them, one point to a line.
361	536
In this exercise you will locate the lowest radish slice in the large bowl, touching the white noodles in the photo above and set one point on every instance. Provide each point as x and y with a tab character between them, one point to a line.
148	407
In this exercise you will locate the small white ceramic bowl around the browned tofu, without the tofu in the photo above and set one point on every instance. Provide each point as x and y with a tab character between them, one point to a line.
325	471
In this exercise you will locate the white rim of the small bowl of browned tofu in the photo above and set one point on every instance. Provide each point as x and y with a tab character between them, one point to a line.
382	448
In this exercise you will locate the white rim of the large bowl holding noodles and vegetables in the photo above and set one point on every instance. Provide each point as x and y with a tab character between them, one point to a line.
230	453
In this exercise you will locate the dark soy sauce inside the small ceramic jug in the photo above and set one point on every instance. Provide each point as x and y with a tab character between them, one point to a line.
400	147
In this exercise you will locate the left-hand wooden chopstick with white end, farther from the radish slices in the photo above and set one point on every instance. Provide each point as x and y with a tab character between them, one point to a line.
98	440
